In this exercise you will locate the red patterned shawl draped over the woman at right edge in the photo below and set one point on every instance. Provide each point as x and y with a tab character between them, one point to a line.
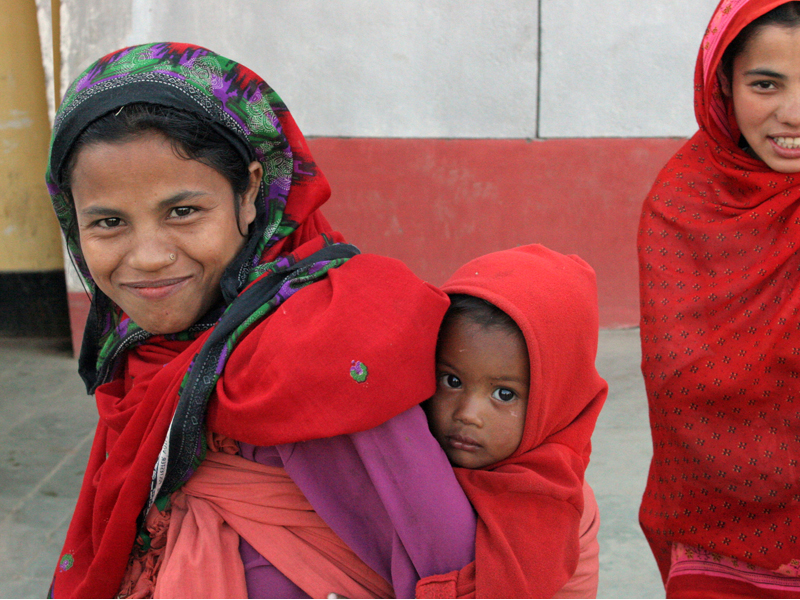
719	264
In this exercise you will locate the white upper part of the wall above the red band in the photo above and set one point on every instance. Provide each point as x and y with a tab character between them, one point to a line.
435	68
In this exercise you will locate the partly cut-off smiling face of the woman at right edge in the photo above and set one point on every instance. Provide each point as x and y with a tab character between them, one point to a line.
766	96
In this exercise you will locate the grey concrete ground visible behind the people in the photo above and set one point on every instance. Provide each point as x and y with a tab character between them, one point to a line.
47	422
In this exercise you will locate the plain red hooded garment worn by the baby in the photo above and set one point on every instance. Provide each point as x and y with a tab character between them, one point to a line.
529	505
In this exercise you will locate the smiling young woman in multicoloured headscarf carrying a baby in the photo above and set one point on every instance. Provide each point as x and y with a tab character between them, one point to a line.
250	368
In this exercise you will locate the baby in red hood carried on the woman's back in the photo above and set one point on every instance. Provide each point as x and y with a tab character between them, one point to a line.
516	403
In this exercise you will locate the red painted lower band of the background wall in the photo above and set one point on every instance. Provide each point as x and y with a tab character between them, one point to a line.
436	204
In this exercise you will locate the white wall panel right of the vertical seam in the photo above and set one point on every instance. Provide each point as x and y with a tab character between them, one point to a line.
621	68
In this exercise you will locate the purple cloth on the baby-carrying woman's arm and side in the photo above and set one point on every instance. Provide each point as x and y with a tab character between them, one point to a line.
388	492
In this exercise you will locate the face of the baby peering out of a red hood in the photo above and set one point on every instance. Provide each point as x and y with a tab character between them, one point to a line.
478	411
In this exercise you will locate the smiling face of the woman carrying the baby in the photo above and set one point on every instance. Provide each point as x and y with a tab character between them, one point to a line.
157	231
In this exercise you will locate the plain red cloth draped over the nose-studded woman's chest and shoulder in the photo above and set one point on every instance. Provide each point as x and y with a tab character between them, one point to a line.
372	310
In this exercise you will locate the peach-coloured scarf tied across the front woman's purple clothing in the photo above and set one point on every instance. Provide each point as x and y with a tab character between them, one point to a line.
228	497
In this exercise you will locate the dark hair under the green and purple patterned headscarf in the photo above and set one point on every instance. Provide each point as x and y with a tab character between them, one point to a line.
192	138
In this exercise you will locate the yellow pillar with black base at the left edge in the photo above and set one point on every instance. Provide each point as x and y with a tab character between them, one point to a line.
30	245
